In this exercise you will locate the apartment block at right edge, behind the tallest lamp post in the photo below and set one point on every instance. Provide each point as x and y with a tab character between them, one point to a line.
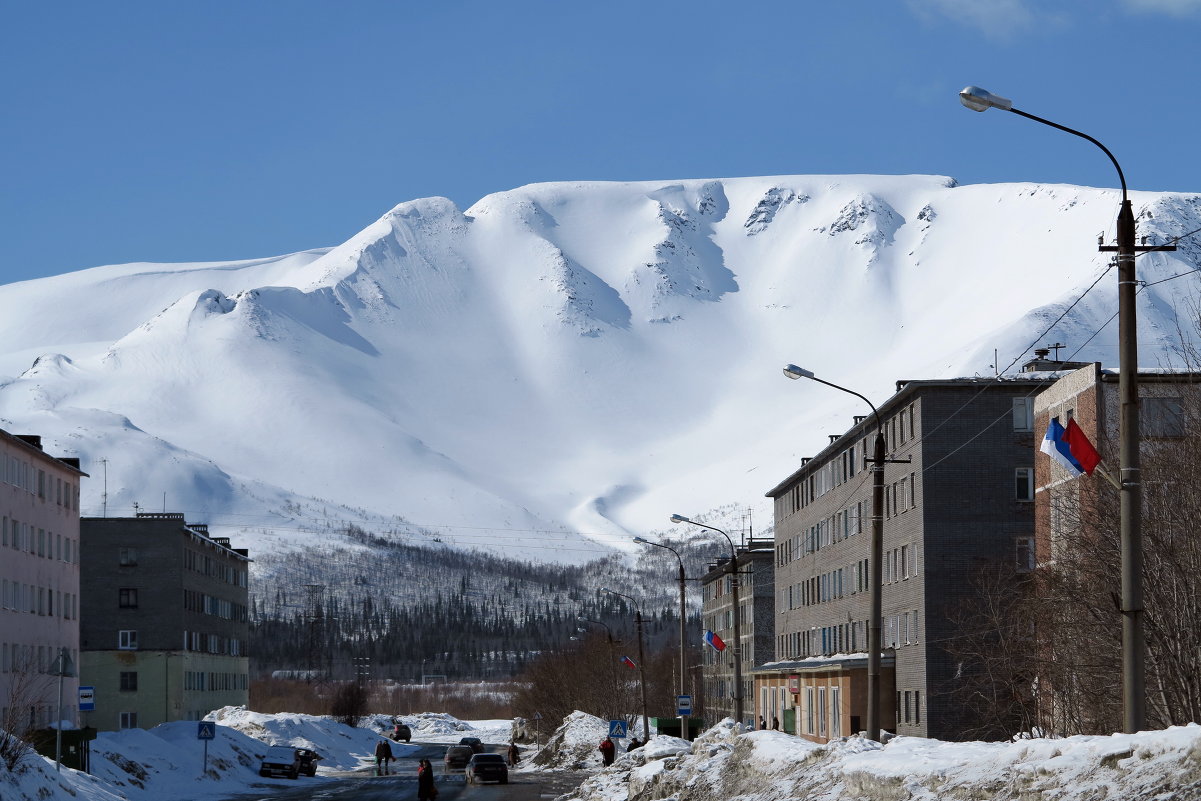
1078	543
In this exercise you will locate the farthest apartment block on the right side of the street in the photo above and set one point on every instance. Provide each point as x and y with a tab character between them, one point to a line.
755	569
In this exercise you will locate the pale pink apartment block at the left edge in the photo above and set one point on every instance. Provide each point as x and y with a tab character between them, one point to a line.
39	584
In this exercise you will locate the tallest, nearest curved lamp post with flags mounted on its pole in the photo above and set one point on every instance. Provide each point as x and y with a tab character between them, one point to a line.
1133	626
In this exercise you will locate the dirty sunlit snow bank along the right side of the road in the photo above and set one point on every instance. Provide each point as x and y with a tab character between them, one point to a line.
725	764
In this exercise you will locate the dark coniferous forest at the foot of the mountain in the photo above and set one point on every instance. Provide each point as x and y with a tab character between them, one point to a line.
374	607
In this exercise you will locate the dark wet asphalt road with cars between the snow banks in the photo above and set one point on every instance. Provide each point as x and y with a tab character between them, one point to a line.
402	785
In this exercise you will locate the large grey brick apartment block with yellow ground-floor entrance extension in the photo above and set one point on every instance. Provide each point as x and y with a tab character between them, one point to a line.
959	495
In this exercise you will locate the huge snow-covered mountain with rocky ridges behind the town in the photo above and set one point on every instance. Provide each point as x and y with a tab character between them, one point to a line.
563	366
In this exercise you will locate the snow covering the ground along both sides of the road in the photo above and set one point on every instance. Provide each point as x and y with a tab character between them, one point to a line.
724	764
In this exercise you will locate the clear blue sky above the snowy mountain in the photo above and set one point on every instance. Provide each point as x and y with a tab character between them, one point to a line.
204	131
